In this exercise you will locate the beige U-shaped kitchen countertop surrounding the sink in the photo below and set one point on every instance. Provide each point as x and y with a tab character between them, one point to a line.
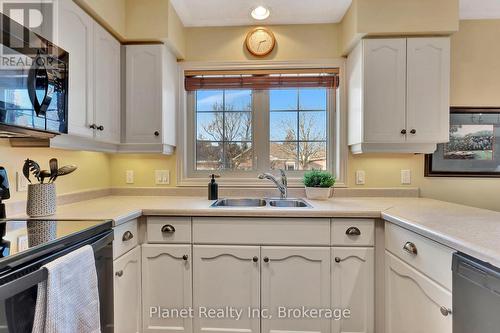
470	230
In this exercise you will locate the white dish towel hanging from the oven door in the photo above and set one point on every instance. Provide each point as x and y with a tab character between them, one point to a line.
68	302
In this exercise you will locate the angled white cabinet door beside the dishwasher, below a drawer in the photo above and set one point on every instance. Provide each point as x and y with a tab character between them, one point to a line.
413	301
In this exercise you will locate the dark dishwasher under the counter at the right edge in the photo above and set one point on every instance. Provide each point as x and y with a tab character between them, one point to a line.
476	296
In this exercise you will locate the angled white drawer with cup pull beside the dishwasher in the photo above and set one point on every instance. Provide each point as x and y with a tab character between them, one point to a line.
429	257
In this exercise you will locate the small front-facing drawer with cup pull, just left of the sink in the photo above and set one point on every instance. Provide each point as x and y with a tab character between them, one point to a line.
169	229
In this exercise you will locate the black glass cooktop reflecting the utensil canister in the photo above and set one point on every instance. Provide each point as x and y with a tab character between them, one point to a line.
22	238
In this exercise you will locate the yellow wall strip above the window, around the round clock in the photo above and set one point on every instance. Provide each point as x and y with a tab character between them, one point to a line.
294	42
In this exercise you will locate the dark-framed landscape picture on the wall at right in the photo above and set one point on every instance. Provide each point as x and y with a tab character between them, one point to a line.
474	146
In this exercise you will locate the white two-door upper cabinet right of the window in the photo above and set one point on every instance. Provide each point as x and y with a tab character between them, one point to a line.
398	94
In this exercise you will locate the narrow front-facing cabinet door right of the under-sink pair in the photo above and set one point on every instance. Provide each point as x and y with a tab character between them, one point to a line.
353	283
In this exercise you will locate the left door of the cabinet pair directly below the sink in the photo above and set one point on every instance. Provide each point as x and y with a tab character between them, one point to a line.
226	276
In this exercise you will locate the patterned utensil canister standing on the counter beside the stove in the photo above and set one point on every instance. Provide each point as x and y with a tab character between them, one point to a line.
41	200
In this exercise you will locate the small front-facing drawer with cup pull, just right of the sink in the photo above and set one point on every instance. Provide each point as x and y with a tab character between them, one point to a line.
353	232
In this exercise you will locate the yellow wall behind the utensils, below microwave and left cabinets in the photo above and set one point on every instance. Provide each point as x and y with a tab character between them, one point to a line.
93	168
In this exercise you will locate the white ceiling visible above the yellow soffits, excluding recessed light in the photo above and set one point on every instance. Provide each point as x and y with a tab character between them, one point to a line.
204	13
